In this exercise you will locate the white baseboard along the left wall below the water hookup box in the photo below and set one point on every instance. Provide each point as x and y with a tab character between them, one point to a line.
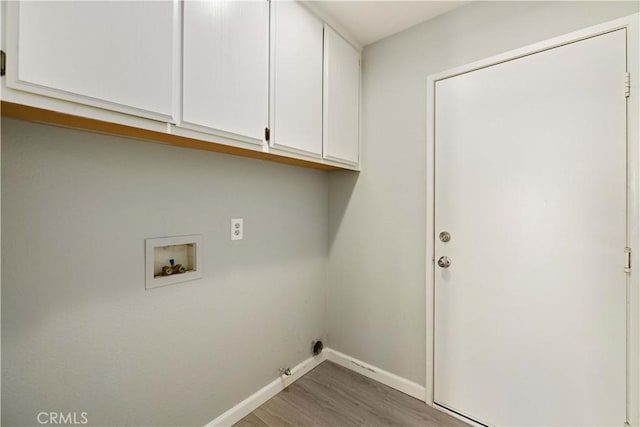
252	402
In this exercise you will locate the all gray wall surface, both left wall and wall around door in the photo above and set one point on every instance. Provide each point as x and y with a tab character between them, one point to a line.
80	333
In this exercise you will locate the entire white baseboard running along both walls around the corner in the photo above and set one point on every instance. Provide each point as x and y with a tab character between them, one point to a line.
252	402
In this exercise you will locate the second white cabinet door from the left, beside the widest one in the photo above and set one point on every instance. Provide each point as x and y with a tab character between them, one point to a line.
226	67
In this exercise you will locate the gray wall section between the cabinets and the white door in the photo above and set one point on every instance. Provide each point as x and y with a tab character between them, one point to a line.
377	258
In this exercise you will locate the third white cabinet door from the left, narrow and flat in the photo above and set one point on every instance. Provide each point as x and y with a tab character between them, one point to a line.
296	103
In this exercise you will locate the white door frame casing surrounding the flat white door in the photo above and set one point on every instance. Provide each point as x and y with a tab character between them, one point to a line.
631	23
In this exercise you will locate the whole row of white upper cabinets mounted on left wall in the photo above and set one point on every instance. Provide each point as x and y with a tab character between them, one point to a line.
191	71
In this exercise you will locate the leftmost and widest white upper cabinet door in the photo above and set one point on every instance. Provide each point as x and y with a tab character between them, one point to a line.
118	55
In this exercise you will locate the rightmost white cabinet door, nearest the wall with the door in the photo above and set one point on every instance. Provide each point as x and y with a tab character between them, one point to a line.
341	99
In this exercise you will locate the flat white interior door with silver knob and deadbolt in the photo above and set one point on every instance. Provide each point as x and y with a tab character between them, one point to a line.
530	182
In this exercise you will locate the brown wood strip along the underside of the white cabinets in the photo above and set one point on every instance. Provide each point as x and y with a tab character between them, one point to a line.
39	115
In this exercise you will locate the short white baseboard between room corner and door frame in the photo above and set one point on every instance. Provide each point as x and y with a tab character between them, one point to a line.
380	375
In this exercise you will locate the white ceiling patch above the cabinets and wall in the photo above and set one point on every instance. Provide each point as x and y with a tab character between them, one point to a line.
369	21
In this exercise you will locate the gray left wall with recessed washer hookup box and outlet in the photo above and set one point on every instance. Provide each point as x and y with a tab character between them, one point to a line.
79	330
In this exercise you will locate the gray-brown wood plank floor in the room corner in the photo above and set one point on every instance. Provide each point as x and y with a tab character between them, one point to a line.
331	395
